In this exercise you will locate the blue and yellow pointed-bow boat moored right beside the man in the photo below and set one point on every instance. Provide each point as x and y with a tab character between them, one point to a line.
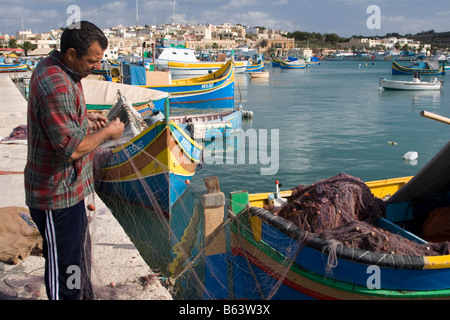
150	165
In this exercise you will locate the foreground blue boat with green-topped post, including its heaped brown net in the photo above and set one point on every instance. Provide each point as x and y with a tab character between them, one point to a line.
403	254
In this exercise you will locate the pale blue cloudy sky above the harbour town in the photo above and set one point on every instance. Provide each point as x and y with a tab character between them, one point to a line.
343	17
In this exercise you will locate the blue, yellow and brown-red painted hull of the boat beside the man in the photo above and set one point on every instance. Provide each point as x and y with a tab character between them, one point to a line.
152	169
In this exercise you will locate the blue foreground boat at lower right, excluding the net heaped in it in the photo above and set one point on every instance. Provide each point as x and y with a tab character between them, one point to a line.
303	265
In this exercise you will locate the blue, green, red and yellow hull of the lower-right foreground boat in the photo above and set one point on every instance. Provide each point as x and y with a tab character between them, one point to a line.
298	271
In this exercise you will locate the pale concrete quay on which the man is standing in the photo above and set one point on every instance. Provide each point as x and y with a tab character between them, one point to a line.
118	270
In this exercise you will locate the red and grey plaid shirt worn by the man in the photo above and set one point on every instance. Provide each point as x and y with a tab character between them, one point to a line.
57	123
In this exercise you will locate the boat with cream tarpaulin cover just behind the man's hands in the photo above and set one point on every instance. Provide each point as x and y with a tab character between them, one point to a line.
102	95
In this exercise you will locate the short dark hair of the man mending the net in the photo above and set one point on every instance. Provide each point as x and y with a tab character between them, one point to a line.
80	38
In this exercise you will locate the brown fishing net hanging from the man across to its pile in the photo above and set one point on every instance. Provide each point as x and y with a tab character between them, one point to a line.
208	246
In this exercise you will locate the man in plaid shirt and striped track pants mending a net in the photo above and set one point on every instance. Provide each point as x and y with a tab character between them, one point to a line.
59	169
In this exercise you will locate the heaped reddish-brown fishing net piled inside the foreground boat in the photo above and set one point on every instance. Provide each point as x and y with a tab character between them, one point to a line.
342	209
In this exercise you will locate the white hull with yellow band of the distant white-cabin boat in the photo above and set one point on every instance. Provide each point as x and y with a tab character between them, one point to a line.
202	67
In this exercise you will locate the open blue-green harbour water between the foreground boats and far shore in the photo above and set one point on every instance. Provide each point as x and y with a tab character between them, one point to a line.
330	119
